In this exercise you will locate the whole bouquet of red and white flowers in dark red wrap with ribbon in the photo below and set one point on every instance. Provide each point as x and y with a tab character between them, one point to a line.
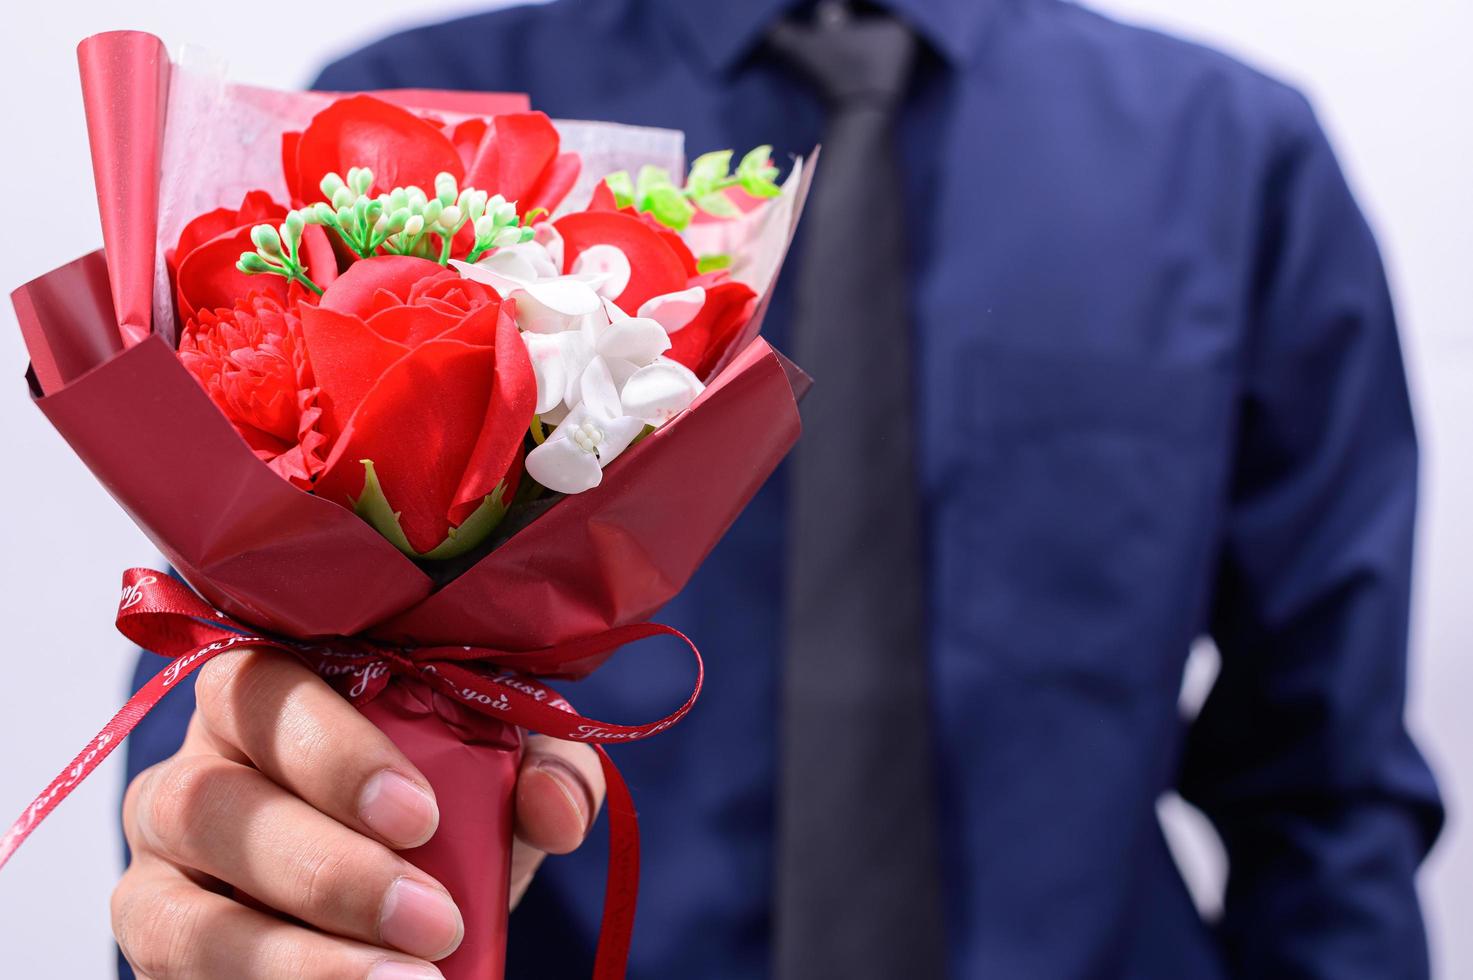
431	391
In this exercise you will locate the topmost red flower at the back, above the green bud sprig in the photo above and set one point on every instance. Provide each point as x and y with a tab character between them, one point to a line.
513	155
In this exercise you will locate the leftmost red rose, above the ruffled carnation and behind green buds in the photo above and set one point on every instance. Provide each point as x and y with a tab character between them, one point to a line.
204	262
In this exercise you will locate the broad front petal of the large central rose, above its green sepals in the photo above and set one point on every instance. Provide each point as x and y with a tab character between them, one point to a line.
419	425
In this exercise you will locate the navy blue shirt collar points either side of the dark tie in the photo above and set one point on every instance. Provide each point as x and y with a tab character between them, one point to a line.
723	32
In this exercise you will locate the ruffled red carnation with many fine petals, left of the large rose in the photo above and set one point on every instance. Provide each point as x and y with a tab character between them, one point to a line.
253	365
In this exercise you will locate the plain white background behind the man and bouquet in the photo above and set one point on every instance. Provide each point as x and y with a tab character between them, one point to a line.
1393	83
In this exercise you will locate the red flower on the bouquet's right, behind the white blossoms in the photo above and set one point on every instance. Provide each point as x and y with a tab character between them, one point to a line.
661	263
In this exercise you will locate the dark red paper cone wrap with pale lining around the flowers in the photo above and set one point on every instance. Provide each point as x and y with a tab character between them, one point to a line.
298	570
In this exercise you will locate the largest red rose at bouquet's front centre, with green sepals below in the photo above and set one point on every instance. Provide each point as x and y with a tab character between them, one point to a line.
423	377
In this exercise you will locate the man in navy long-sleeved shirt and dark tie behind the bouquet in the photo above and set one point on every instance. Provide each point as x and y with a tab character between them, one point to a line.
1157	396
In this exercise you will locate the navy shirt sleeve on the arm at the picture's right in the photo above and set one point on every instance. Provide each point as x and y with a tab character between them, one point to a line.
1301	757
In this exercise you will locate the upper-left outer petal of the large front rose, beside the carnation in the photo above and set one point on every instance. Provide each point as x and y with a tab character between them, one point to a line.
347	357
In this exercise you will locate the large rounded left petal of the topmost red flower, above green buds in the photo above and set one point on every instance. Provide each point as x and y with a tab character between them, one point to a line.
397	145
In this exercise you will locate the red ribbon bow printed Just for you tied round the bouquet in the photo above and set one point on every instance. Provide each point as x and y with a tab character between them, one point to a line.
163	615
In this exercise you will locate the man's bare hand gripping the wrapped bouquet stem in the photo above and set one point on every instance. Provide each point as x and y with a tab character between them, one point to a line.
284	791
